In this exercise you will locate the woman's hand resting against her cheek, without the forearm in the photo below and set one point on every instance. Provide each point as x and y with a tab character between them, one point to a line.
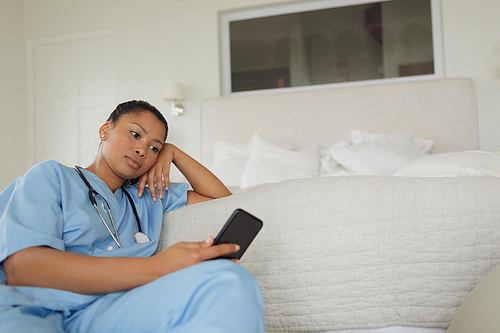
159	175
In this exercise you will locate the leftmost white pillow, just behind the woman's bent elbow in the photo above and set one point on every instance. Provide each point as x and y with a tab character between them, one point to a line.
230	159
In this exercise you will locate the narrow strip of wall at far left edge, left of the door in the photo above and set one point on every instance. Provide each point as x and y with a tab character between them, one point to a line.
12	93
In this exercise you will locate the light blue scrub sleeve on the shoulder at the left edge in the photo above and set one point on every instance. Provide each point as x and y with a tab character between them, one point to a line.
30	212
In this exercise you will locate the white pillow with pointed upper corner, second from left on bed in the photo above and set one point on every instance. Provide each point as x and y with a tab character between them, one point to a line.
271	163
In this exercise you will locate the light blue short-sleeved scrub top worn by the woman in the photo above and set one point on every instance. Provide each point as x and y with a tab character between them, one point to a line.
50	206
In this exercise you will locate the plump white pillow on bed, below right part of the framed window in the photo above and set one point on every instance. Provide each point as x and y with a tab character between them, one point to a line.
382	156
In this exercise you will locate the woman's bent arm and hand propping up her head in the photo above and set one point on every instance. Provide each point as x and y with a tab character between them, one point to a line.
205	184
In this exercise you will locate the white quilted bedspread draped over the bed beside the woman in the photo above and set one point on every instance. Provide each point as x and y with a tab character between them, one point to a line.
360	252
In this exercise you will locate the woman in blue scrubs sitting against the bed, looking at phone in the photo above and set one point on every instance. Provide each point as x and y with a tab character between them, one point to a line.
69	265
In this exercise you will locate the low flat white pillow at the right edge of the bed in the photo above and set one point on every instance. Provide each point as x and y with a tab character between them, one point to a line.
453	164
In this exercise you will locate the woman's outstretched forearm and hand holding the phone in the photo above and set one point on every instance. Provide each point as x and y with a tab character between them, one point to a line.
50	268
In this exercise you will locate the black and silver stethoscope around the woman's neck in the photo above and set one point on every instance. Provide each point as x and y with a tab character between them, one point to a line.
95	198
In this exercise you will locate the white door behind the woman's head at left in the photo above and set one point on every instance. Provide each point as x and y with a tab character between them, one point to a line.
72	96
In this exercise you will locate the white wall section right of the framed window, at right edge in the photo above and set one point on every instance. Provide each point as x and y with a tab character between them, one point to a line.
471	34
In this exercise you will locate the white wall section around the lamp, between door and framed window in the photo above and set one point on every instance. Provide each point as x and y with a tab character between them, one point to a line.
154	42
